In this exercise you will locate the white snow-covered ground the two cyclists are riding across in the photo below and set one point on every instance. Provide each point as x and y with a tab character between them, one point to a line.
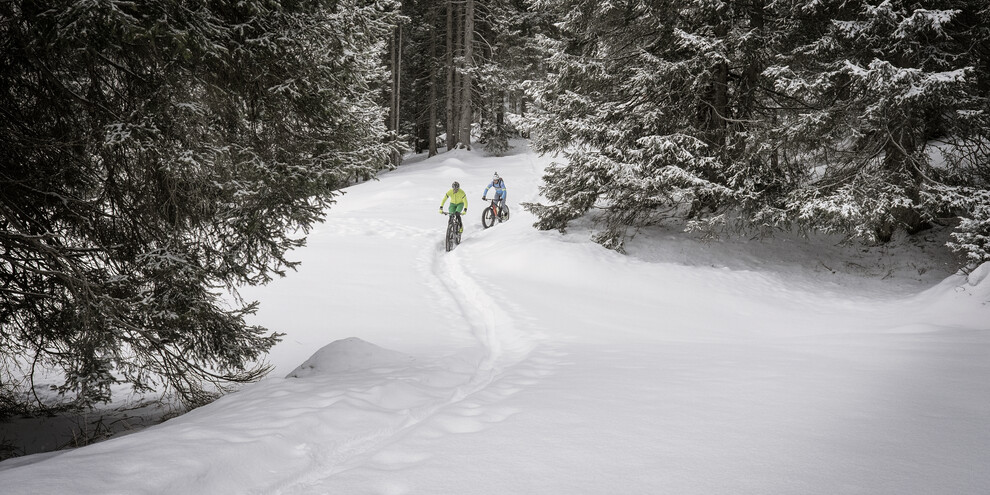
538	362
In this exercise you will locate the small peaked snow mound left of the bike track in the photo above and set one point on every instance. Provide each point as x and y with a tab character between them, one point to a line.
350	354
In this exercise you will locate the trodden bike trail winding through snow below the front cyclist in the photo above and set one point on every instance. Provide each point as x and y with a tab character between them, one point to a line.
500	345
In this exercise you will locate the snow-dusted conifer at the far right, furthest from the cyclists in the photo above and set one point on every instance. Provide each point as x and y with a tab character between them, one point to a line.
880	88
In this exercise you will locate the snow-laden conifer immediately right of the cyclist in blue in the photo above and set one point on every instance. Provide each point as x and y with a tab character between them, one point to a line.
657	110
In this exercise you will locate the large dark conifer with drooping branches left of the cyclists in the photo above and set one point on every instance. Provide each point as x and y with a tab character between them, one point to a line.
155	157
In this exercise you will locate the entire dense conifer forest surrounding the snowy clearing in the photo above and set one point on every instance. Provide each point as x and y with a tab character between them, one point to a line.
158	155
